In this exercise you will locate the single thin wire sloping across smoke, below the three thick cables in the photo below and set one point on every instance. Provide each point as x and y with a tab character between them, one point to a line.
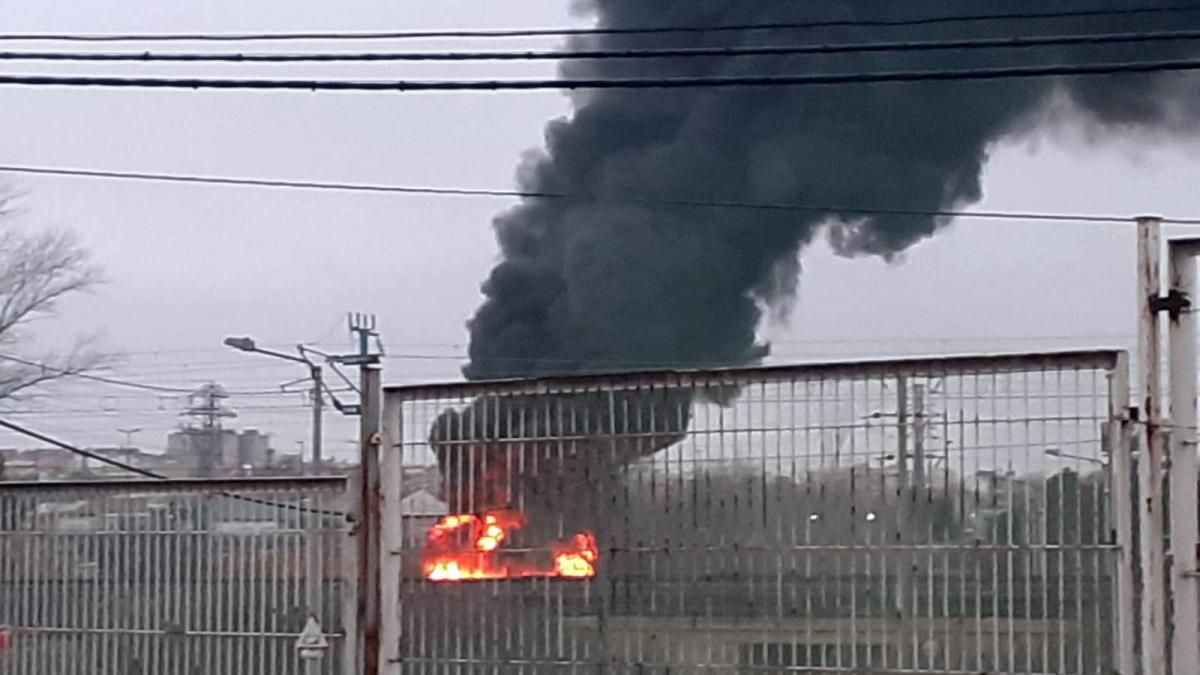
172	178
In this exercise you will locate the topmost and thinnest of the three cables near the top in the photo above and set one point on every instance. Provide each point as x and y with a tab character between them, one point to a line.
586	32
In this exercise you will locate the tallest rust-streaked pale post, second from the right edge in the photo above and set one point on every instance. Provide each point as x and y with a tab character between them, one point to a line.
1150	464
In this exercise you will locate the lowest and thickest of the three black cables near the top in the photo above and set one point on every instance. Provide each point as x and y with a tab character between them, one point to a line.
718	82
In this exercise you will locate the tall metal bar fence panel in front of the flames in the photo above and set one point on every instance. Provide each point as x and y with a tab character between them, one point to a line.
935	516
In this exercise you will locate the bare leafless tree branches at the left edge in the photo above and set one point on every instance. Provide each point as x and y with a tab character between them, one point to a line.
37	272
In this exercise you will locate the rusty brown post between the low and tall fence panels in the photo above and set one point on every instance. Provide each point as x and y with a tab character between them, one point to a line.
369	527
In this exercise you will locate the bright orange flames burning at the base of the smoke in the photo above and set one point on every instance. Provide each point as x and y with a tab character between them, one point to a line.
469	548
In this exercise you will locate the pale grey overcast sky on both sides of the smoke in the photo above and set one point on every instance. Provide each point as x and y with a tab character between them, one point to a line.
191	265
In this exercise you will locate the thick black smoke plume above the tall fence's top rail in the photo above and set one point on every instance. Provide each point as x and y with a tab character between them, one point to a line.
608	284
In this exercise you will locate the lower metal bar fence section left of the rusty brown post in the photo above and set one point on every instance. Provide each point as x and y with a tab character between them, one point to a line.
179	578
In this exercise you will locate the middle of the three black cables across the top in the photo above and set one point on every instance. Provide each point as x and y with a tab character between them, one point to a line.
599	55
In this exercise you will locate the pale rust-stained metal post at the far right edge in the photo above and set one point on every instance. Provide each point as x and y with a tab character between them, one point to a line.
1184	470
